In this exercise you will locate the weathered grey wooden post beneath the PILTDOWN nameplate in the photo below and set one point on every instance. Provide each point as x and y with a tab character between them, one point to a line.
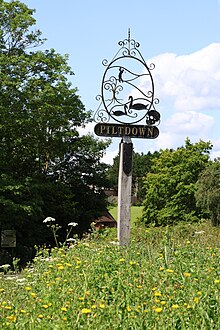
124	191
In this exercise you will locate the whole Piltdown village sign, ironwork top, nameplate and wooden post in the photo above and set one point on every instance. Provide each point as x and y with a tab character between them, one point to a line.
123	100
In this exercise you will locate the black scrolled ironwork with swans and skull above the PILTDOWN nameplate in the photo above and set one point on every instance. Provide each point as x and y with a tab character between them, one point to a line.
127	89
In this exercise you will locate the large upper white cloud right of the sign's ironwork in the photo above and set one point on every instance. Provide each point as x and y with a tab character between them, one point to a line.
191	82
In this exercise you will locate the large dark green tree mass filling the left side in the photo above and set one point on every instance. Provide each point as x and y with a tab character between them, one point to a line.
46	169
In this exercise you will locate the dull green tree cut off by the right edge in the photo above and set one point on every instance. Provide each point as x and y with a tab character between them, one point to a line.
208	191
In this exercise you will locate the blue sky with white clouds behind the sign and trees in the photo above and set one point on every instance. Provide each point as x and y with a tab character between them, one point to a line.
182	39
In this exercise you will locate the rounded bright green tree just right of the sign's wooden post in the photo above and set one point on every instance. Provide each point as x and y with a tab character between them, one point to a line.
170	187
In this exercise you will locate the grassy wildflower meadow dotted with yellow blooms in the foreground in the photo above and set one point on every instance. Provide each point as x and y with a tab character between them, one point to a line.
167	278
